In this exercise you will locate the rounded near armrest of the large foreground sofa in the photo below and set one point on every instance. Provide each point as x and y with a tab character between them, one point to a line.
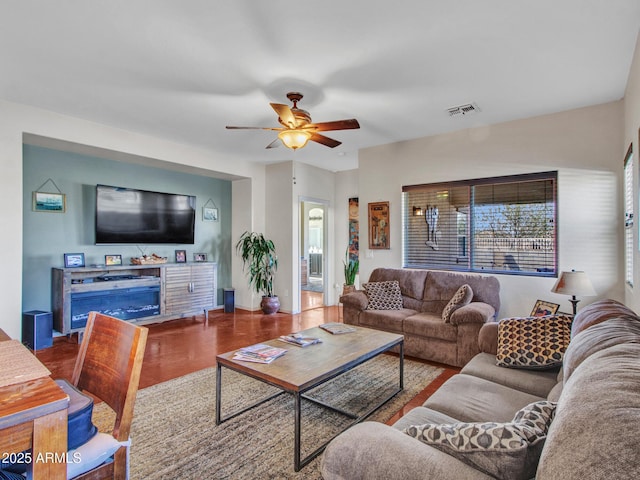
372	450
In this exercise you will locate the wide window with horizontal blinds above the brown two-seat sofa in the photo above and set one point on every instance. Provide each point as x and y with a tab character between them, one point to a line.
499	224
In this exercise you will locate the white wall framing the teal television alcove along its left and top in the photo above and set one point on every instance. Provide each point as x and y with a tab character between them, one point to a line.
16	120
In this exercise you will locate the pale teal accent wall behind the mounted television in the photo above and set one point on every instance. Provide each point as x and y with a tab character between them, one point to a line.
48	236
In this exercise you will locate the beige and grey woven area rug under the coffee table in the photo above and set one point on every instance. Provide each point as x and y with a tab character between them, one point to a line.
174	434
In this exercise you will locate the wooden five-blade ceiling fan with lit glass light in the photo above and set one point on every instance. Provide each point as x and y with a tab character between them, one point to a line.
297	128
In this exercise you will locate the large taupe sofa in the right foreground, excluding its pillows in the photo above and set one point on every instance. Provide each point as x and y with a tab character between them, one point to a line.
594	433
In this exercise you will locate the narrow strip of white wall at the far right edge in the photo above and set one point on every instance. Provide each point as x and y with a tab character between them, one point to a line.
631	133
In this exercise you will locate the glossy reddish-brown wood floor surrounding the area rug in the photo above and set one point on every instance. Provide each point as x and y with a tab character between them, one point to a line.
185	345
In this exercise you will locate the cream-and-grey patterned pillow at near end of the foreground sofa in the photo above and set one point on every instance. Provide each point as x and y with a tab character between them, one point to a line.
503	450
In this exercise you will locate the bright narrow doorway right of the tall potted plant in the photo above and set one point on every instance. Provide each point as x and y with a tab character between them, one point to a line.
313	254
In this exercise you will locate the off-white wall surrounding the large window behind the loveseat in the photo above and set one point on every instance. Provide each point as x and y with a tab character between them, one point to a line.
584	145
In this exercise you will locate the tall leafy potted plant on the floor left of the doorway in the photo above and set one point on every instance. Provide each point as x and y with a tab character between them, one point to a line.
259	256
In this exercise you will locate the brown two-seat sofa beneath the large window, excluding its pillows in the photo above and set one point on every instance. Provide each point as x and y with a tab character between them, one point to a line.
425	293
